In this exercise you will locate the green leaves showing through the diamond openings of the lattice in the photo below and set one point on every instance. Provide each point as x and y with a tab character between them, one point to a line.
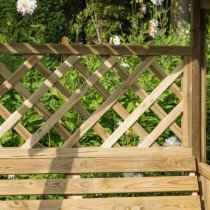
52	100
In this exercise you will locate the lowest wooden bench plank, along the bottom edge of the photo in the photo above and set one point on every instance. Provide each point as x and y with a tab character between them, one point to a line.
139	203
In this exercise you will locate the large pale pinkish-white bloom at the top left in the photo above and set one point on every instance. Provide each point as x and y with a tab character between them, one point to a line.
26	6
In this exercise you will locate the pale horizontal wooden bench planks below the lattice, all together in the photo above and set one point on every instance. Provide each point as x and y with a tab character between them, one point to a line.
167	191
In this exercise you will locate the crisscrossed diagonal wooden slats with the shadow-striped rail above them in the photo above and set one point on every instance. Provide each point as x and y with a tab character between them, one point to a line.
92	80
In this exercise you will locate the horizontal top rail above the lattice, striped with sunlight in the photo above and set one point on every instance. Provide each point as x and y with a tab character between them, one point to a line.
116	50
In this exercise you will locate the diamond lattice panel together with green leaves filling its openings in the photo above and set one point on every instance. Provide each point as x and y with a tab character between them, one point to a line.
90	101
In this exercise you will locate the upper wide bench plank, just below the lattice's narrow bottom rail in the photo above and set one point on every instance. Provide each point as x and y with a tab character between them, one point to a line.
96	165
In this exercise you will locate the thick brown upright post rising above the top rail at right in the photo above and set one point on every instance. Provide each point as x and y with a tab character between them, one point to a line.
196	77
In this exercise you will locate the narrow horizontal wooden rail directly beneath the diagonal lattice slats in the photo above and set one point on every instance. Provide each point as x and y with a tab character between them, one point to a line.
126	152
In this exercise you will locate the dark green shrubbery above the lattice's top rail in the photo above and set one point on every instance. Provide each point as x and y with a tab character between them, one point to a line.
86	21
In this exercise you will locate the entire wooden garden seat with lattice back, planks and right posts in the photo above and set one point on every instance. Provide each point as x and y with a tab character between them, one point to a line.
190	173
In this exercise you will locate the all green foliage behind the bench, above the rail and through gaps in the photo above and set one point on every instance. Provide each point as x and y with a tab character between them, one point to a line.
89	21
